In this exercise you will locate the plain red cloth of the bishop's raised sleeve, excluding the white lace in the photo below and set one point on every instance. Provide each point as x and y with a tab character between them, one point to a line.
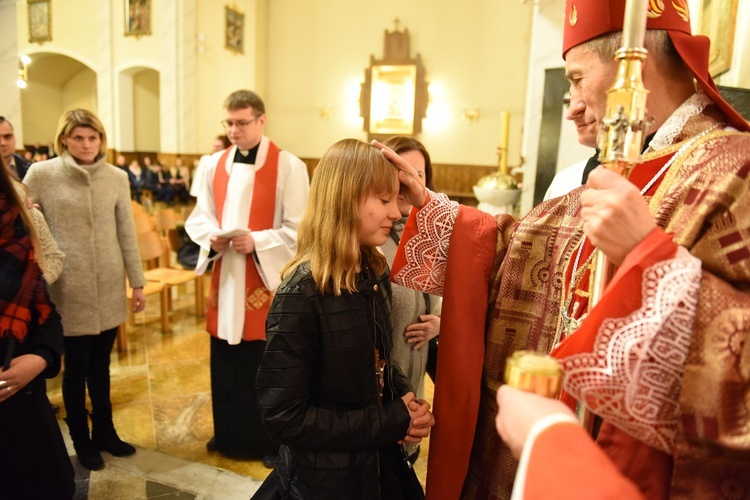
462	330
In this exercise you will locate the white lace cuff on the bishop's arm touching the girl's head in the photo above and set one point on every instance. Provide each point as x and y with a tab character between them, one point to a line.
427	252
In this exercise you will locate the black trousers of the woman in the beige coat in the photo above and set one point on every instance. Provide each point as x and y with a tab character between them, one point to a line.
87	364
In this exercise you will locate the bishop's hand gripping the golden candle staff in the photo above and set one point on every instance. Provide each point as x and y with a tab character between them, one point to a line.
615	214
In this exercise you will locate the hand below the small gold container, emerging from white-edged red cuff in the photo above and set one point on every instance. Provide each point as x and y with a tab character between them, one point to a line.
519	411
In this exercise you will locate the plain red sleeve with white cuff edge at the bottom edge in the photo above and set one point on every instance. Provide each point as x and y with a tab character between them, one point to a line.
583	472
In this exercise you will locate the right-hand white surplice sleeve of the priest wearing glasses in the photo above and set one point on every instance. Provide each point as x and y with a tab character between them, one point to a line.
274	247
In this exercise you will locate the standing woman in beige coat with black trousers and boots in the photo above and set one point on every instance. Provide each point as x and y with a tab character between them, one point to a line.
86	202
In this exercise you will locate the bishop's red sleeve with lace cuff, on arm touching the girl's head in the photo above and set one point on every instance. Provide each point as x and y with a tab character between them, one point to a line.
450	250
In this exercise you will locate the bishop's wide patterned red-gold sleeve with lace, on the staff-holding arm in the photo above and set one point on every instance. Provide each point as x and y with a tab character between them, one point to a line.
664	355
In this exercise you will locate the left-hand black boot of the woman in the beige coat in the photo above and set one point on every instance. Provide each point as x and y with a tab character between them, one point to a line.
74	397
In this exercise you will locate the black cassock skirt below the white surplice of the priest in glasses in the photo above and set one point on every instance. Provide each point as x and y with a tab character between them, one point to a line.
237	424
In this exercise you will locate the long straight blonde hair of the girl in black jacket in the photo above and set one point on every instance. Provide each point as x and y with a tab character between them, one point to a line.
328	234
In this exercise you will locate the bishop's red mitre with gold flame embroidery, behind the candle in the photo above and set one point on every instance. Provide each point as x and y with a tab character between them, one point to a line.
588	19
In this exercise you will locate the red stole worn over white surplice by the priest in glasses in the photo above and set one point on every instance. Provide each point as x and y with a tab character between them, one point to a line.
262	210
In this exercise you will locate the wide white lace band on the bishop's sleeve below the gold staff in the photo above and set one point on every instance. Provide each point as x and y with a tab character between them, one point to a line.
633	378
